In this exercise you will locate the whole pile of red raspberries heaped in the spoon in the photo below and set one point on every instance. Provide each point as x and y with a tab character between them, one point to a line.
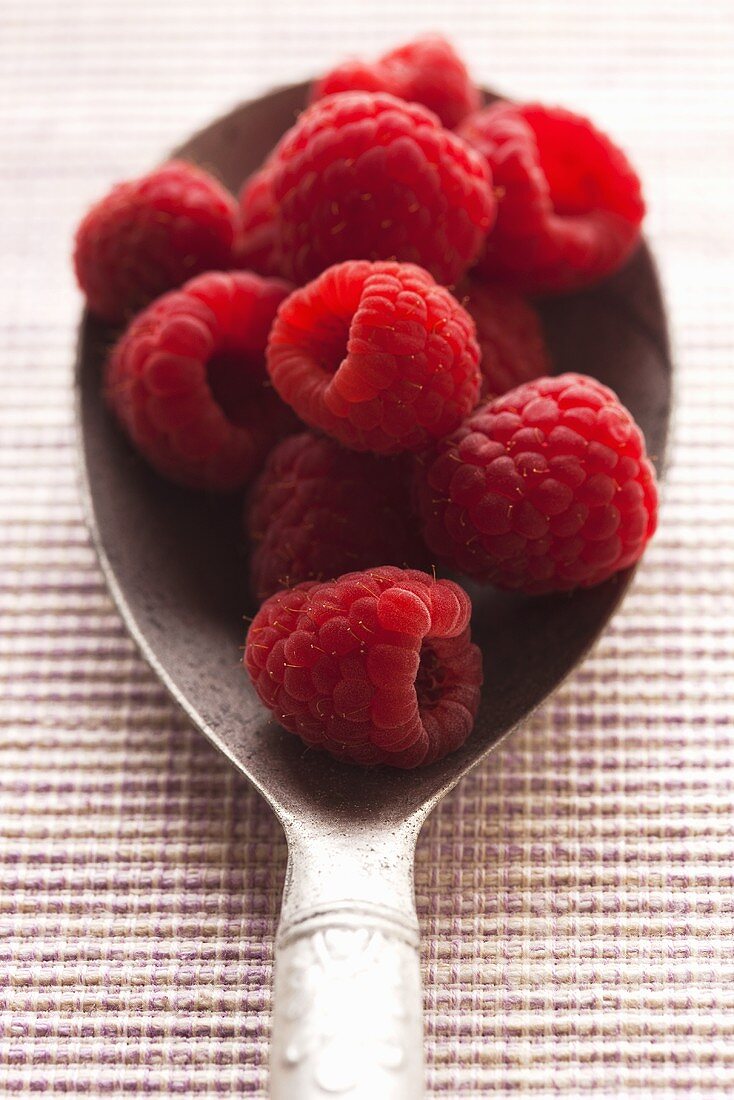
352	344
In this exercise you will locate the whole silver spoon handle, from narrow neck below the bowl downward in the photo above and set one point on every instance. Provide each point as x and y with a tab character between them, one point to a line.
347	1007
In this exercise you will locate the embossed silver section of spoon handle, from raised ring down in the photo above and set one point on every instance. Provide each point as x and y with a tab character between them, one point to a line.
348	1015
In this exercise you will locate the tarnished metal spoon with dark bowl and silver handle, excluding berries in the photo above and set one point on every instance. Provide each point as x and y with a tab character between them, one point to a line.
347	1018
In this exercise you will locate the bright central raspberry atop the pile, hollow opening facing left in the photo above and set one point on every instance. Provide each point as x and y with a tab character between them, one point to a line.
377	356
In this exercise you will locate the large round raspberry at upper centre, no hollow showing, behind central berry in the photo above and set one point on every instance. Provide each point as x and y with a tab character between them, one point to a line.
370	177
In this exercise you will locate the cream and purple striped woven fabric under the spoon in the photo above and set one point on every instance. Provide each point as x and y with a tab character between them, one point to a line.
576	894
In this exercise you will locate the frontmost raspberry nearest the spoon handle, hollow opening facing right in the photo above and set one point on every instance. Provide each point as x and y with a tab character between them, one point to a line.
376	667
